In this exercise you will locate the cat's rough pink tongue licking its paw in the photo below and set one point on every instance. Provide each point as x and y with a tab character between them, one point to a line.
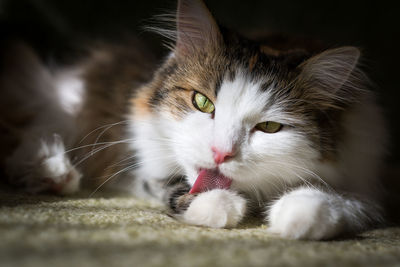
210	179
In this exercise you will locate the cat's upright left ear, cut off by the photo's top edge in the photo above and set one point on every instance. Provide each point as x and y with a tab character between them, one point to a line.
196	28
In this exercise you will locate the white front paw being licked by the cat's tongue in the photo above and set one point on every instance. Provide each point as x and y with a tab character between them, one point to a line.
217	208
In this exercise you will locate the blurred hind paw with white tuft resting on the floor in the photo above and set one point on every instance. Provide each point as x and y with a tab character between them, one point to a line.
41	165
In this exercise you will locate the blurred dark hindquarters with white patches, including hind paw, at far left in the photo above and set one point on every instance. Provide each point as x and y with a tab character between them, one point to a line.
43	101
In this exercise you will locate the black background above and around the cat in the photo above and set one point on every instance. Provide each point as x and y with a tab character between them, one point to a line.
54	27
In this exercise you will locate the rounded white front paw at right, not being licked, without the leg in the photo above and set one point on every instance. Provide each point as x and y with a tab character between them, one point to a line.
305	214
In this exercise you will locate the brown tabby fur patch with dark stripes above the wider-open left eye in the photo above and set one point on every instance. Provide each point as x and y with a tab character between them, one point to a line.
174	84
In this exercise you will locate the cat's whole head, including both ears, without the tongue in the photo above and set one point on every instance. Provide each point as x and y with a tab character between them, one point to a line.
253	114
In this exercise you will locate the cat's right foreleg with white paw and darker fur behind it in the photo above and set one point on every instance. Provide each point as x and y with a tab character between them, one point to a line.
307	213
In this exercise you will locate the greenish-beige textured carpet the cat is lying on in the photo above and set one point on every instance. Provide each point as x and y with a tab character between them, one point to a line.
121	231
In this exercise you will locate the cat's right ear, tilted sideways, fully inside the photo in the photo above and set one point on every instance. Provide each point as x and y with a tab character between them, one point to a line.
332	74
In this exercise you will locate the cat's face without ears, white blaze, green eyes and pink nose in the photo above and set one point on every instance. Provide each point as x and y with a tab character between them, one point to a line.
212	110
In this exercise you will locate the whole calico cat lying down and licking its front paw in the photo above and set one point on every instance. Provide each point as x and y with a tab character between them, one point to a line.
223	127
